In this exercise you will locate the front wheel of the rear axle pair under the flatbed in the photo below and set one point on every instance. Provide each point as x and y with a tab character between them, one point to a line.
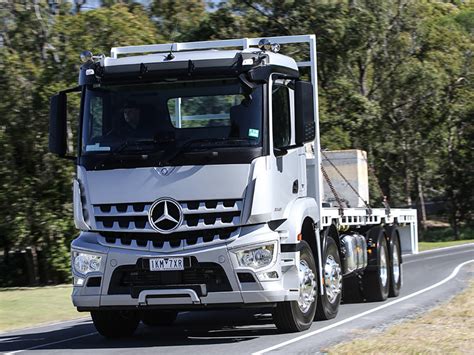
376	278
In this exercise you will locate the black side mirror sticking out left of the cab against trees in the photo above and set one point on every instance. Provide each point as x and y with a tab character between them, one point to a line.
58	124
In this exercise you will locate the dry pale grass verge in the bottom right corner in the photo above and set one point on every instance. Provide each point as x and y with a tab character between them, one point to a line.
447	329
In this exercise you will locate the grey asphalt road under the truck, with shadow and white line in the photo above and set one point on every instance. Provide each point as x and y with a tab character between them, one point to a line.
428	279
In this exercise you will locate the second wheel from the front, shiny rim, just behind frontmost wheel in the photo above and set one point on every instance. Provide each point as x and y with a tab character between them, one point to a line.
328	303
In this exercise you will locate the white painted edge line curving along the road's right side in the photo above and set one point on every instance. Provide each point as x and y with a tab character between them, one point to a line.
363	314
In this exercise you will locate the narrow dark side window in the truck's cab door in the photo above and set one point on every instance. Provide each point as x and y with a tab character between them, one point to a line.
281	116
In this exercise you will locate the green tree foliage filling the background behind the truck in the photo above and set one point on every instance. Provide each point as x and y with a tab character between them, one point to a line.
395	79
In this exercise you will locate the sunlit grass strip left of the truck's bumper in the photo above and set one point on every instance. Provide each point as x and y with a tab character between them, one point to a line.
27	306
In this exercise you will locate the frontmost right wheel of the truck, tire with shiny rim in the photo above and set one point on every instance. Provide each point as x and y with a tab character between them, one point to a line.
296	316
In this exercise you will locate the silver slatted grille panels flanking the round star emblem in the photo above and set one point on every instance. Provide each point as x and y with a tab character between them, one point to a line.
198	215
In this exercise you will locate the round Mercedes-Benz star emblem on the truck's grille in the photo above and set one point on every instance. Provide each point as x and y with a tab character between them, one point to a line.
165	215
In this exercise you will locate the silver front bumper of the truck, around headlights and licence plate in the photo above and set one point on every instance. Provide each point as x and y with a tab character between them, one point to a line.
241	291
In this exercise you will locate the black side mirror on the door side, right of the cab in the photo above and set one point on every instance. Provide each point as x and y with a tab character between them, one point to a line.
305	127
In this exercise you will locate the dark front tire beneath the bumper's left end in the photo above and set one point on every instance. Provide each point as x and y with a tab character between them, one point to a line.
115	324
